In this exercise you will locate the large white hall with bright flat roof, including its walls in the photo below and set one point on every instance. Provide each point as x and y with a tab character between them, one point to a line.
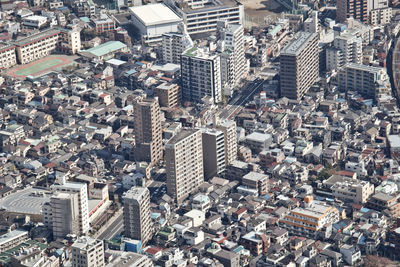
154	20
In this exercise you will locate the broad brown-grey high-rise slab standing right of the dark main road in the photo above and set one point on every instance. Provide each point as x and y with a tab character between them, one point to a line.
299	65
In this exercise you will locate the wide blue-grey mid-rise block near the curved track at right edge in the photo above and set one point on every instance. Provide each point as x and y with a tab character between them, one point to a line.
370	82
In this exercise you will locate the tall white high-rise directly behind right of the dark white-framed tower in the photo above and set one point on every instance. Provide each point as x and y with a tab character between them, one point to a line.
231	38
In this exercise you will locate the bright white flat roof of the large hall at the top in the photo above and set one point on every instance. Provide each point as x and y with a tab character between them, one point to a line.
154	14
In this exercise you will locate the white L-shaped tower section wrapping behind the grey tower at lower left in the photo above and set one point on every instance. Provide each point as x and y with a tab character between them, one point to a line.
81	190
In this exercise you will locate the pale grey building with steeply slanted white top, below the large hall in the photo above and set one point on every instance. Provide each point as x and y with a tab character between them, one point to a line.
174	44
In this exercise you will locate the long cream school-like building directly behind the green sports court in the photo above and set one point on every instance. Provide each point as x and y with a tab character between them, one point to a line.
36	46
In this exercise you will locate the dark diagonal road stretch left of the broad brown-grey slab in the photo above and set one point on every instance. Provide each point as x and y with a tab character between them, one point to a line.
236	103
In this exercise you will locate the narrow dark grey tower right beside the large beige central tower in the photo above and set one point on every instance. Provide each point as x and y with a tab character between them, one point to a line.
213	153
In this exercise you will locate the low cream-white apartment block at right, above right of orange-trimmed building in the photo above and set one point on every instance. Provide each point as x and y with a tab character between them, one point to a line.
353	191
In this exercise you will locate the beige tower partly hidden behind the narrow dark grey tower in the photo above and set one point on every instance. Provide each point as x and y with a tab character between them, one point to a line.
229	129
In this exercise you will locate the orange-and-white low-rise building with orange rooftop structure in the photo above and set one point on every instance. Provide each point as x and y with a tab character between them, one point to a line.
310	219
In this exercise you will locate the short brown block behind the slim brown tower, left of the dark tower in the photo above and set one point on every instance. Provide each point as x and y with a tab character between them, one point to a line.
169	95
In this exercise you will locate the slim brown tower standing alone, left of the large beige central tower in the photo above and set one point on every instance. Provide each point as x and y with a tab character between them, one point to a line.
148	132
